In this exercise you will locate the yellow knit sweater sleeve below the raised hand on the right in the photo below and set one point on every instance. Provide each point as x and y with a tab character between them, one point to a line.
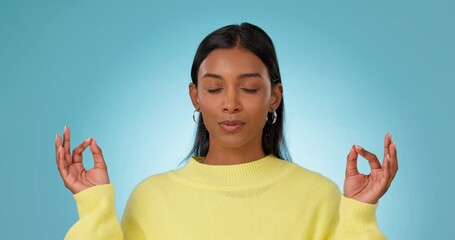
357	221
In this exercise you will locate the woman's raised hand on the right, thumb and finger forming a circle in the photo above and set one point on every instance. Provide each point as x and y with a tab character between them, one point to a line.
369	188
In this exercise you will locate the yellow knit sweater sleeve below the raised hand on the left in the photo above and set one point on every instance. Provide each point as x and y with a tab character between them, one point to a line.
97	216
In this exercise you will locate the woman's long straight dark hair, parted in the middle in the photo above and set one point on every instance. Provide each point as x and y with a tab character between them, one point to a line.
257	41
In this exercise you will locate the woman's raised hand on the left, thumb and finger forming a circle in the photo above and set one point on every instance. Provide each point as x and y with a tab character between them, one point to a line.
71	168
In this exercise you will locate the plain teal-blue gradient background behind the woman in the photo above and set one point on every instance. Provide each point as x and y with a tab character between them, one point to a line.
119	71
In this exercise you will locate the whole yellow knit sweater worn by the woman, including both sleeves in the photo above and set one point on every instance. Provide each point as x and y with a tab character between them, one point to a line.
266	199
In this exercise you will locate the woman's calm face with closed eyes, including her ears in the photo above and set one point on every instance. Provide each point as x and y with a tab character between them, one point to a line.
234	95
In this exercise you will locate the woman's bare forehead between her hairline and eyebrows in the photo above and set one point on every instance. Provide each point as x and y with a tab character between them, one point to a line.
232	61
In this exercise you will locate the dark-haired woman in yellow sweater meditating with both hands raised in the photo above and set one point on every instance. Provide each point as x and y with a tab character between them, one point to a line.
237	185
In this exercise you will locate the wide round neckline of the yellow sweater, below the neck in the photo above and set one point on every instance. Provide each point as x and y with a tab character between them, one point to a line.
253	173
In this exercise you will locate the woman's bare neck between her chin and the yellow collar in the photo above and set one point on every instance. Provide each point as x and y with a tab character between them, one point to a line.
229	156
